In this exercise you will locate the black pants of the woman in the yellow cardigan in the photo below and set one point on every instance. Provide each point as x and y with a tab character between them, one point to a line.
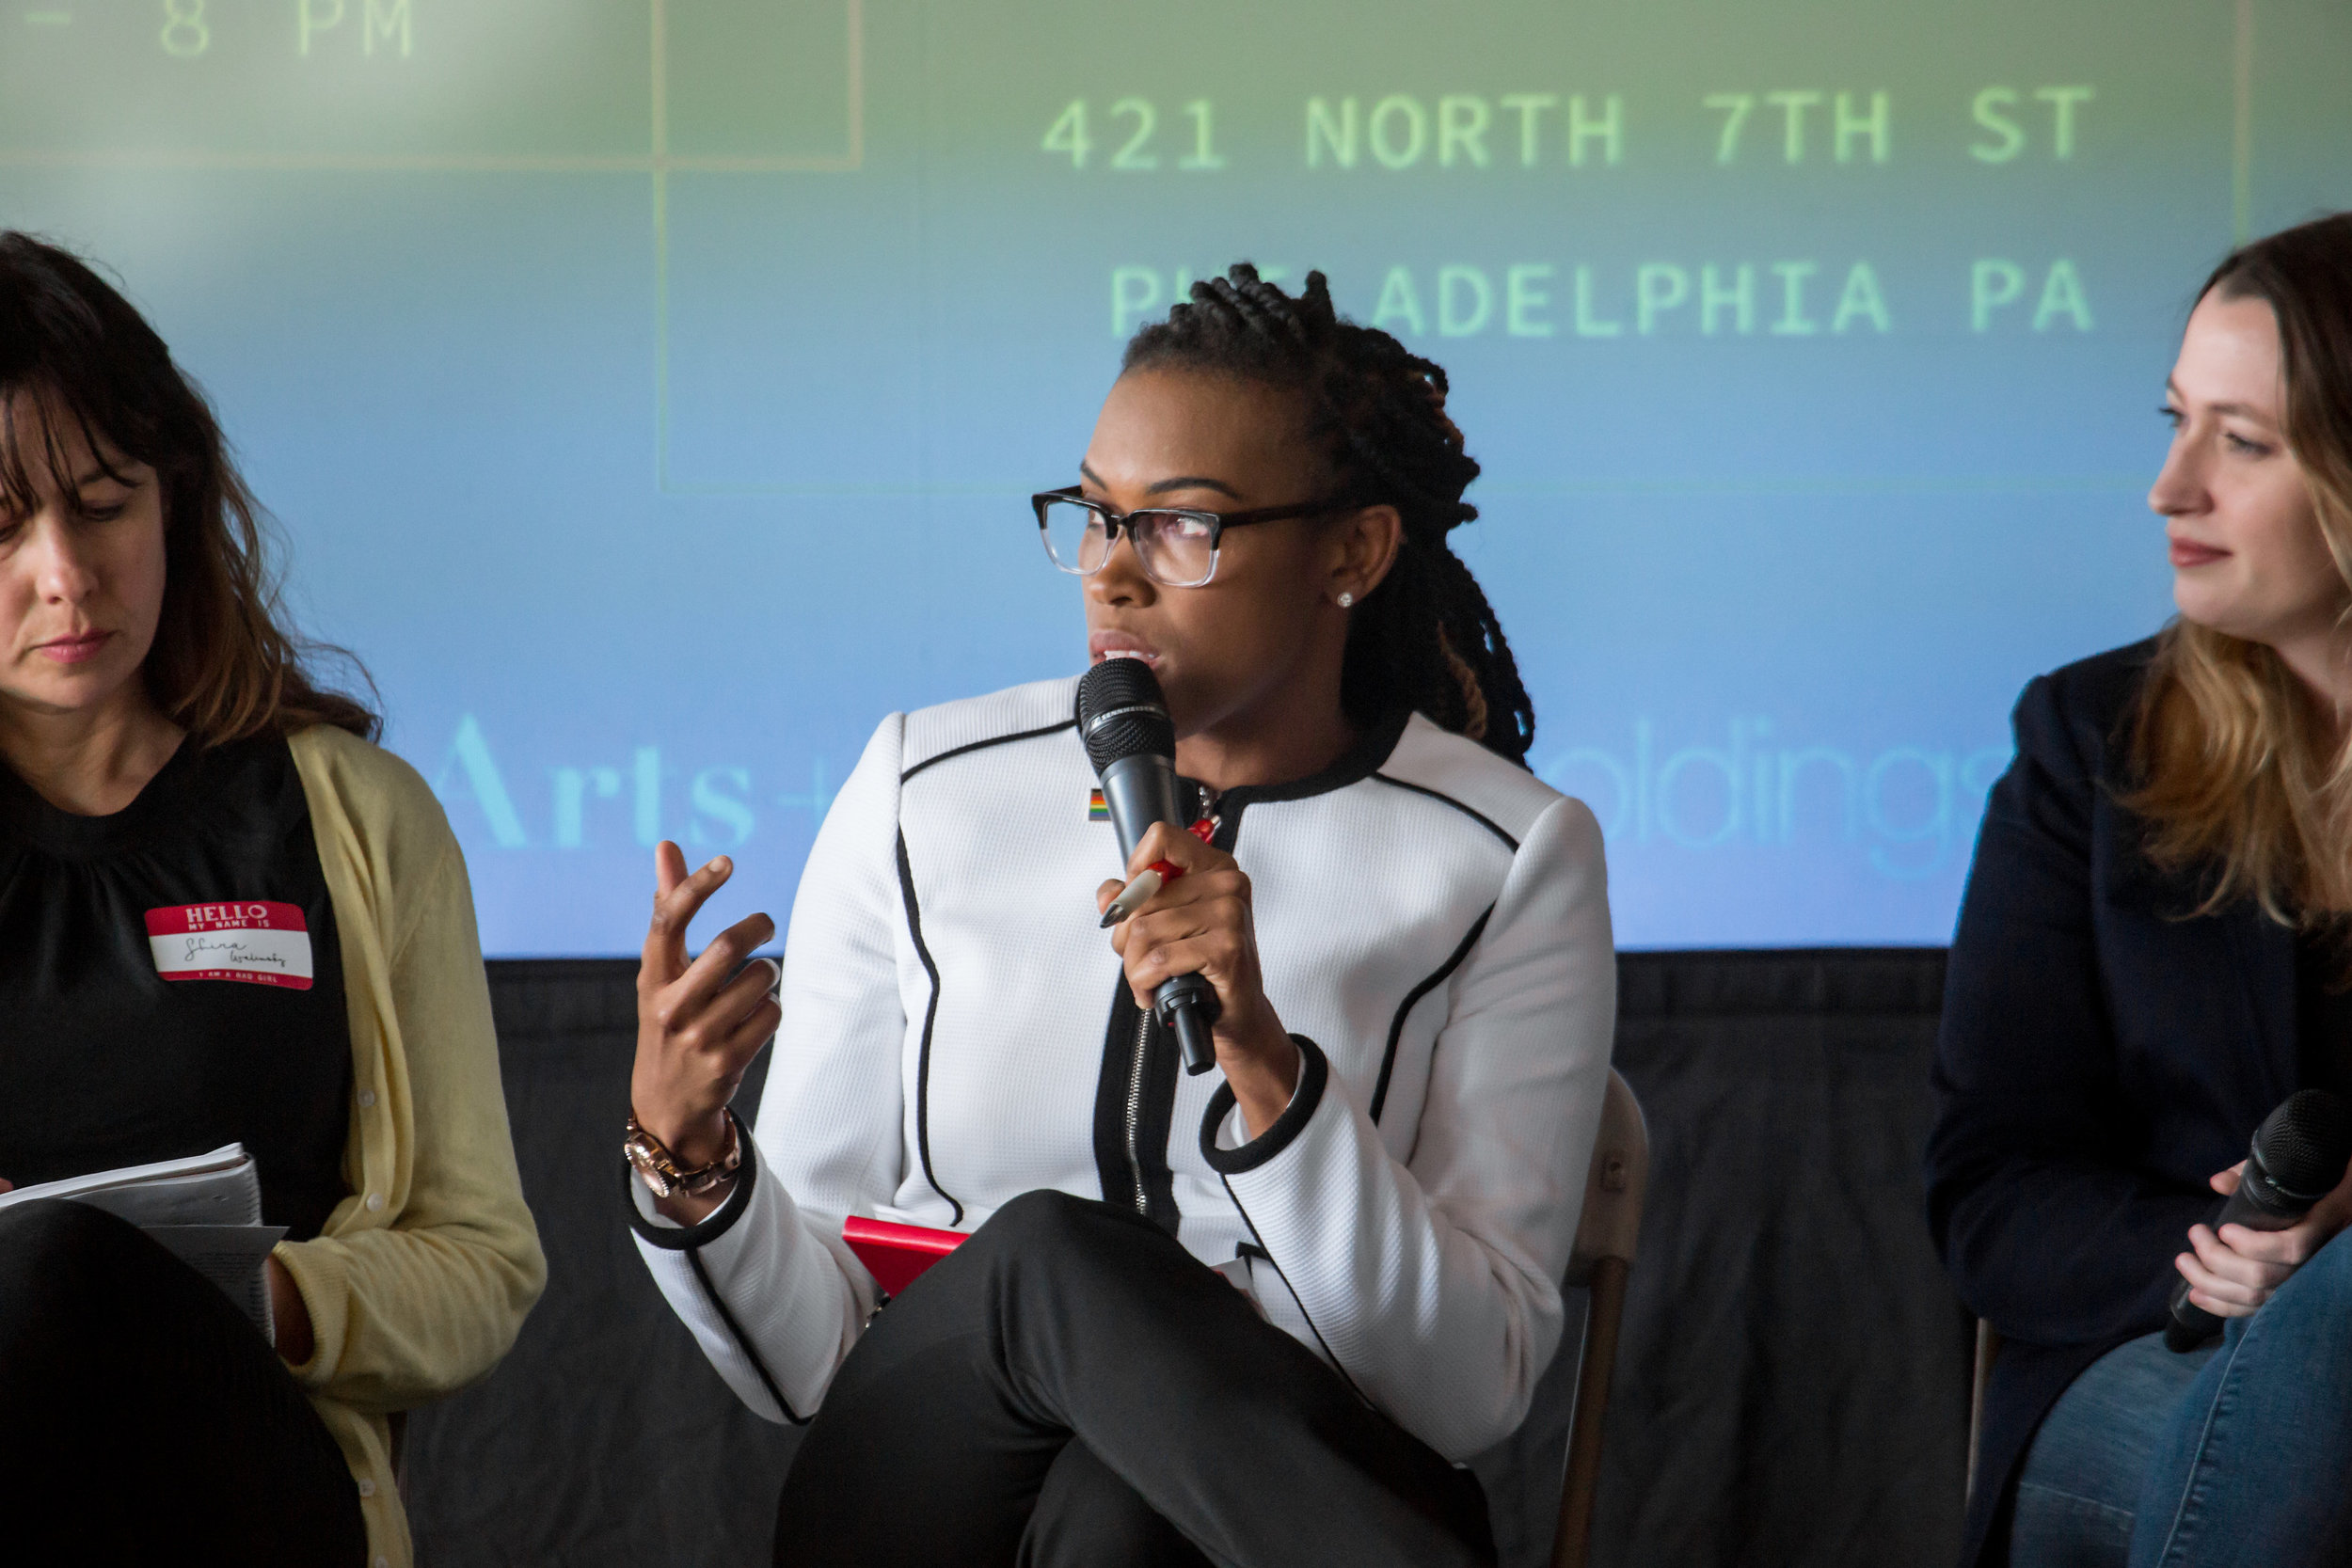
142	1416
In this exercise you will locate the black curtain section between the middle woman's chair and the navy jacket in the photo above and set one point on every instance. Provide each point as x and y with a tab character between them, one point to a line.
1793	1381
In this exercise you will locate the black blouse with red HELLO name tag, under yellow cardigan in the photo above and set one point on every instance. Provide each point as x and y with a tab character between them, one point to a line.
171	981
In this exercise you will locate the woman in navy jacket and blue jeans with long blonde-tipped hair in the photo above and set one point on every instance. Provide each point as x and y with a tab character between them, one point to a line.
2153	953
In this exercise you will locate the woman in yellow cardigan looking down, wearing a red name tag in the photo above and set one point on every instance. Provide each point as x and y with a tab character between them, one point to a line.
225	916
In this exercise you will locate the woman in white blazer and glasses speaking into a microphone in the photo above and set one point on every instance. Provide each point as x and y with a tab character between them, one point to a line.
1245	1318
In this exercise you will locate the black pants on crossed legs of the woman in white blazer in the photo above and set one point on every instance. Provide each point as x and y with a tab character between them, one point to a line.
1071	1388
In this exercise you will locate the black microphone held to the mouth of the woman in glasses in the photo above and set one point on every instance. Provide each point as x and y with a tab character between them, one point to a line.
1132	744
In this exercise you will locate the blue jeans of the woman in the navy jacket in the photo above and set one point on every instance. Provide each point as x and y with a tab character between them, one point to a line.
2238	1454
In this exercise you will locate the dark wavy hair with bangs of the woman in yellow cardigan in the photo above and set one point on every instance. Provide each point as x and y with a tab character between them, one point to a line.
79	359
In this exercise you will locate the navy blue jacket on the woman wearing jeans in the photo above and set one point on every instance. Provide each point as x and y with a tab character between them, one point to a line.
2104	1052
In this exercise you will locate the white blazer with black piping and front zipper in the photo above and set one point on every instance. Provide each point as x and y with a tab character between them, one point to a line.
1434	925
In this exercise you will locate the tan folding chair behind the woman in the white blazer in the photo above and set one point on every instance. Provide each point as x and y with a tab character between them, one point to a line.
1601	1261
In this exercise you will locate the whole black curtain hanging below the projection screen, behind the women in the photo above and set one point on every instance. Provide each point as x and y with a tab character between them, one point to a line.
1791	1388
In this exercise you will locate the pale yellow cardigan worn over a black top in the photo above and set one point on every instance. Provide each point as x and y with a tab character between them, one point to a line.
422	1275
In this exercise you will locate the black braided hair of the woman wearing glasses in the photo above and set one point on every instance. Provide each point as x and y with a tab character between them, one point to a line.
1426	638
